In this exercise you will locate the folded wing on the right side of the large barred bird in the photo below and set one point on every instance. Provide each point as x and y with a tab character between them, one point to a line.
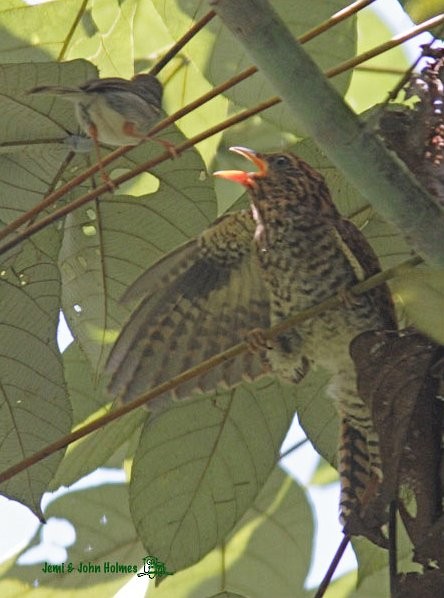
364	263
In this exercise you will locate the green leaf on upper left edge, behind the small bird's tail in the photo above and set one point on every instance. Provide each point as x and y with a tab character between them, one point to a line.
34	131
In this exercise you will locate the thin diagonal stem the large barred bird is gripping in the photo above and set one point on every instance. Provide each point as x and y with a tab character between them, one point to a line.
203	367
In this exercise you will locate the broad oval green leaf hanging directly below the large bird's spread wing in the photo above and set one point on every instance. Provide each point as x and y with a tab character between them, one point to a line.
201	464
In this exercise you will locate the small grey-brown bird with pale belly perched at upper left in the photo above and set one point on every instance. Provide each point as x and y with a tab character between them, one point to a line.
113	110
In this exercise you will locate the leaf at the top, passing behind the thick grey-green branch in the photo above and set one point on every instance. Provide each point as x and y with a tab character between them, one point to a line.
219	56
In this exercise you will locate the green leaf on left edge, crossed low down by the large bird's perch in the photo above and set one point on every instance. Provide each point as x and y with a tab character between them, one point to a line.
33	400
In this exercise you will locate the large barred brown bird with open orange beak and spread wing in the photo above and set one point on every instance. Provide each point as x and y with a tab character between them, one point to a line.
254	268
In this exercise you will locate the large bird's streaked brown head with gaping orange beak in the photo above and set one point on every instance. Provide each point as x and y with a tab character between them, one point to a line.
283	184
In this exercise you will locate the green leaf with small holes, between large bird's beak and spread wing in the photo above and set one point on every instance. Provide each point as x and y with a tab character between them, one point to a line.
106	245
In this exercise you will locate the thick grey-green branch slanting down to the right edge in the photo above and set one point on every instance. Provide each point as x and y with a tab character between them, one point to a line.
324	116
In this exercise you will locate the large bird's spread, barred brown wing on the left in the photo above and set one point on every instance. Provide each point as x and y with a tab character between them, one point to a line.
196	302
